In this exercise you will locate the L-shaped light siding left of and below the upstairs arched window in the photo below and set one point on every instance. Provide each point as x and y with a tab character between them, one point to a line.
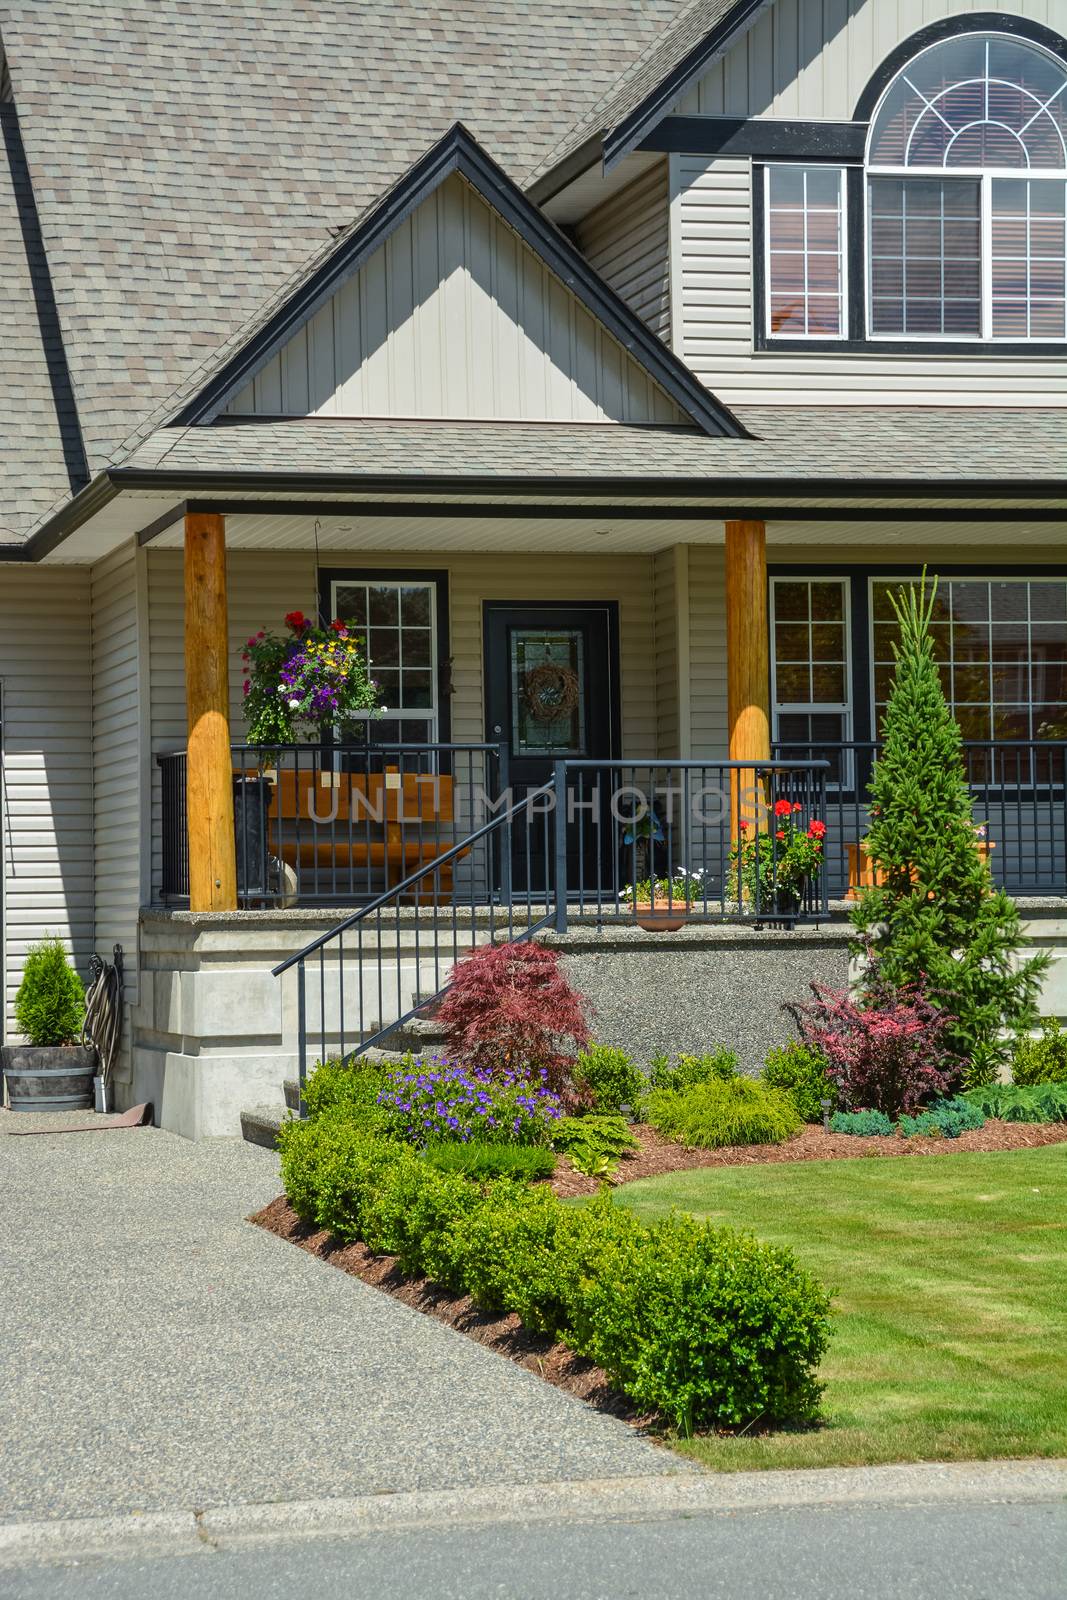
711	239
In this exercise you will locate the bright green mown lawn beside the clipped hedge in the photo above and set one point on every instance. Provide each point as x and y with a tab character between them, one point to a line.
951	1300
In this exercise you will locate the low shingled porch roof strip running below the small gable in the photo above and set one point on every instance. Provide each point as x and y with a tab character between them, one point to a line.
930	444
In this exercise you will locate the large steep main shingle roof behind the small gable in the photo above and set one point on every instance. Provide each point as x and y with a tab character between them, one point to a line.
188	159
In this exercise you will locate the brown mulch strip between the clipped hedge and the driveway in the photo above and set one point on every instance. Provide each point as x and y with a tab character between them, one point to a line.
505	1335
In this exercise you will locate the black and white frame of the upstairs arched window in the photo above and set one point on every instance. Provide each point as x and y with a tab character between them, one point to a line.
860	340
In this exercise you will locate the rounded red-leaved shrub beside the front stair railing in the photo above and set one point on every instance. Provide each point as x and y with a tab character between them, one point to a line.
511	1007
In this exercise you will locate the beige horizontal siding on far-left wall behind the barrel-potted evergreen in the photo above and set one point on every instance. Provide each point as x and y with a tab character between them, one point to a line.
47	778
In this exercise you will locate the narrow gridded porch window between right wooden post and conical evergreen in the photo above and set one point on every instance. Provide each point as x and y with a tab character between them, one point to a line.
810	663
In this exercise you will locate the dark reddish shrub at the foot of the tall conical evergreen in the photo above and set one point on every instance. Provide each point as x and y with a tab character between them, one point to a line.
889	1054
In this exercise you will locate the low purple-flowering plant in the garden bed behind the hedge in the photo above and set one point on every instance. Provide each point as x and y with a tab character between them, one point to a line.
434	1100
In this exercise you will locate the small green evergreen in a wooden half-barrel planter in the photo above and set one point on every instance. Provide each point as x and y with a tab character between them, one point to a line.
52	1071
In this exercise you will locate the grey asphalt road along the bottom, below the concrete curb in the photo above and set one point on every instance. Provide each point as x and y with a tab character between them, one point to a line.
812	1553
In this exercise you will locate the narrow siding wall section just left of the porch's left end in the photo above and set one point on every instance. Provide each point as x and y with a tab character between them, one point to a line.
118	759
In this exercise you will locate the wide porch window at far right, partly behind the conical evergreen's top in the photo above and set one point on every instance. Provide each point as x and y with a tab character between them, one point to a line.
1002	654
